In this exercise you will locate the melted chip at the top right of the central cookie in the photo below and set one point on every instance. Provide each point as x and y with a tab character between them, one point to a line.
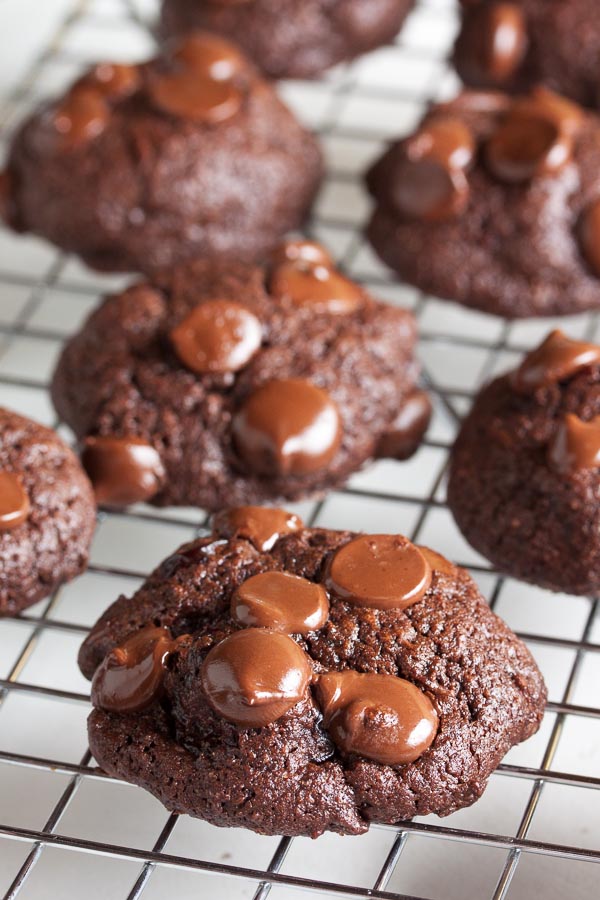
317	286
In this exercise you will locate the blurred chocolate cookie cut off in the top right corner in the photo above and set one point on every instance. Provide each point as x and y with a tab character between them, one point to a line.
516	45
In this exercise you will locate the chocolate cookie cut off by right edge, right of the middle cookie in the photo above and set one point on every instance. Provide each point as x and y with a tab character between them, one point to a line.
525	470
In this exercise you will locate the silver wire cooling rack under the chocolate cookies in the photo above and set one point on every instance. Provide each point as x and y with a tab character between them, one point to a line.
68	831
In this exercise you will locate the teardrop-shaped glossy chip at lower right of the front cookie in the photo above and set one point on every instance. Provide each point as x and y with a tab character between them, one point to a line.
380	717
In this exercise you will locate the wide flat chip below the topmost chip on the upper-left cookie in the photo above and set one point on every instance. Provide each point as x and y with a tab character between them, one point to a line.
188	96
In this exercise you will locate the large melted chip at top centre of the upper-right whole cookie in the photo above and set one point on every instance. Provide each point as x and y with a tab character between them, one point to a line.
535	139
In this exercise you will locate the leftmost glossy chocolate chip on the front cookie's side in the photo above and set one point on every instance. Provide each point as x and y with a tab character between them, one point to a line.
131	676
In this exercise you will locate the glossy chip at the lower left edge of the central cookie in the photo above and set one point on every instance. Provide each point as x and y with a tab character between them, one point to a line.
123	470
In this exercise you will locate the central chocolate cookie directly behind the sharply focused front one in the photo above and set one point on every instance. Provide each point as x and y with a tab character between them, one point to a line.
218	385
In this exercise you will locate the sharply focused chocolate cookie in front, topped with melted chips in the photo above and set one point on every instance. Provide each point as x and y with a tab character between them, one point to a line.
328	682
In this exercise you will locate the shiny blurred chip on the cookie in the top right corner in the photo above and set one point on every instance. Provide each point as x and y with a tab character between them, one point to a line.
493	41
